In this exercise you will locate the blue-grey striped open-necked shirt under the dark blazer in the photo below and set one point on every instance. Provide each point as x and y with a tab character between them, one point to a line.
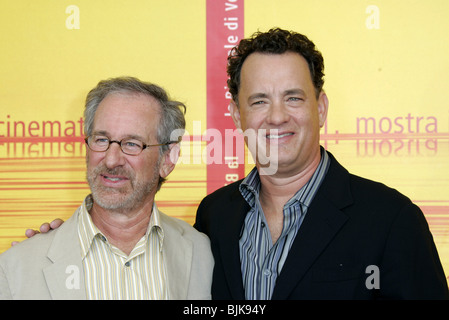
261	260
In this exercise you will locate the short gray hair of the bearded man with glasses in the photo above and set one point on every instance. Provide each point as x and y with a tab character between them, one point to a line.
172	112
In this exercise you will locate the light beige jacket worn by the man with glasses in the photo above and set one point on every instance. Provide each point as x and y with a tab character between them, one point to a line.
49	266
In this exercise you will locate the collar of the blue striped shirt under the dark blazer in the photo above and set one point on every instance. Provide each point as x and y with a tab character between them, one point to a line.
250	186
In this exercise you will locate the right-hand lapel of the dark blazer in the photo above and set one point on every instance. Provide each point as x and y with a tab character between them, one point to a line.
323	221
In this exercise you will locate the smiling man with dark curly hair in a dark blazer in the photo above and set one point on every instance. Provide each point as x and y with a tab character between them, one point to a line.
352	238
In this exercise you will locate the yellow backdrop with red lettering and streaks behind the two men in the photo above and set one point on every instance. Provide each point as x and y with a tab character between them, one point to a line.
387	67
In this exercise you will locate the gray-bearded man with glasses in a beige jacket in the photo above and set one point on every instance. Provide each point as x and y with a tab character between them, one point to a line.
118	245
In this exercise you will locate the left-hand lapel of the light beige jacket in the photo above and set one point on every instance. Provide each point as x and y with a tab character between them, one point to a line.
65	276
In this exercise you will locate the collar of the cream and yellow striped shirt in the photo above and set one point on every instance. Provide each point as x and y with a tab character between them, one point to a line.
87	230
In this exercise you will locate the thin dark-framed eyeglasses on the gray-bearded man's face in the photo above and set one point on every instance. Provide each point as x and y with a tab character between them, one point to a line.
132	147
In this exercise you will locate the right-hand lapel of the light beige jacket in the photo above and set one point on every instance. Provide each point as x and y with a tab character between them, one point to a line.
177	251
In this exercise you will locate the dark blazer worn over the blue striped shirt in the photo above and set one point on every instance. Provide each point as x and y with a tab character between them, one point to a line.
352	223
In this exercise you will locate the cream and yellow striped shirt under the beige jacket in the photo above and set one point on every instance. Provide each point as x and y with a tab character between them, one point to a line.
110	273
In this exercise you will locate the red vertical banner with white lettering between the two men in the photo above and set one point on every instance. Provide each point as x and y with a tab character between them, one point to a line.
224	29
